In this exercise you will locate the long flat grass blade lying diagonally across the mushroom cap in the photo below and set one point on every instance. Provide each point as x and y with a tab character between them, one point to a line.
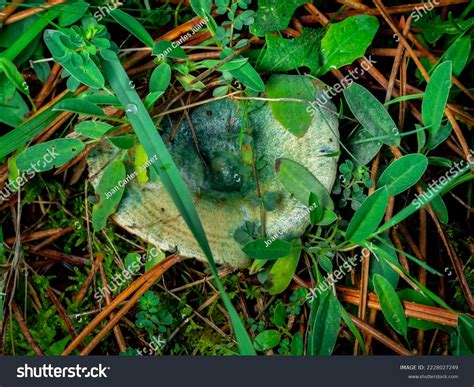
153	144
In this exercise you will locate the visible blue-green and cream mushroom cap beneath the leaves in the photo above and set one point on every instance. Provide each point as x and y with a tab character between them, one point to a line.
219	183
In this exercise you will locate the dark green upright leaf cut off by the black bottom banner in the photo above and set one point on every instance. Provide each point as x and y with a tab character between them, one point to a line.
324	330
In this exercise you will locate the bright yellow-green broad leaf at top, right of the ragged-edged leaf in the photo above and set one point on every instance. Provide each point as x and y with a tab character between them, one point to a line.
347	41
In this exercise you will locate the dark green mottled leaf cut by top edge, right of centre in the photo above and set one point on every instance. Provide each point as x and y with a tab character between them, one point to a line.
273	15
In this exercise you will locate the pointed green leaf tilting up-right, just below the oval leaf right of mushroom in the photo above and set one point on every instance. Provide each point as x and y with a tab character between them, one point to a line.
368	216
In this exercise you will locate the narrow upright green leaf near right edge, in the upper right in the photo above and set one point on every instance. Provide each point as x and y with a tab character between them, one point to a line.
436	97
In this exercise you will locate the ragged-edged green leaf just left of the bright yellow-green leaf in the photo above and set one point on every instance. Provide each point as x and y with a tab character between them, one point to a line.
290	54
